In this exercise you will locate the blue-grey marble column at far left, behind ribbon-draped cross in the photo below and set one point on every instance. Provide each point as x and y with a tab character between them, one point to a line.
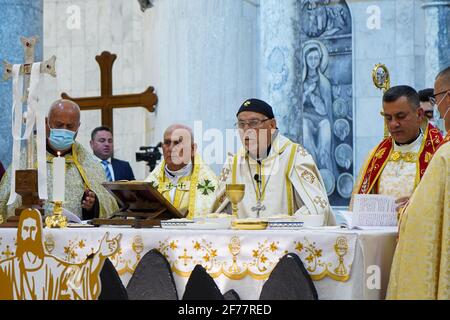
18	18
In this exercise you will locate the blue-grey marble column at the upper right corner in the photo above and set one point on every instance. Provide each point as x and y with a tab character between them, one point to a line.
437	38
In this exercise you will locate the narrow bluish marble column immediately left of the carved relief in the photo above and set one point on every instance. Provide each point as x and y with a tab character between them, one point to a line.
279	68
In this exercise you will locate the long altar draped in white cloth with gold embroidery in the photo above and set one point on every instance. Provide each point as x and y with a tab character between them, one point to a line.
344	264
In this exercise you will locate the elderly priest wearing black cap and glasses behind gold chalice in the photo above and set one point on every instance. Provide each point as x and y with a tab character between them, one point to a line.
280	176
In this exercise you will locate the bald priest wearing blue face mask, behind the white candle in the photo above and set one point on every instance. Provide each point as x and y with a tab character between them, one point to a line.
84	194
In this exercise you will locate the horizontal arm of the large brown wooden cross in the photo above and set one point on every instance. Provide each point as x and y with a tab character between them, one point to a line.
146	99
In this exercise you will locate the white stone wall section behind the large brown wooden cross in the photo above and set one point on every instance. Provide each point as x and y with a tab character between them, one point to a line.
103	25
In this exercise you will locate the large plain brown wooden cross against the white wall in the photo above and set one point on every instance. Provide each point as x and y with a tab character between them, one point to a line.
106	102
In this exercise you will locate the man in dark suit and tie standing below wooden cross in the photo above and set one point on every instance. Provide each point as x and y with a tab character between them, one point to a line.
102	145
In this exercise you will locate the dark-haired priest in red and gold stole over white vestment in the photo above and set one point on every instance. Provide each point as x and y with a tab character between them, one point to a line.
397	164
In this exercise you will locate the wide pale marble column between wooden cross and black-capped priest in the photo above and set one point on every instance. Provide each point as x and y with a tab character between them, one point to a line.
202	58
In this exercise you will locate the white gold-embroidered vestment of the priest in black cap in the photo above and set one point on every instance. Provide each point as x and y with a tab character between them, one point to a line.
289	182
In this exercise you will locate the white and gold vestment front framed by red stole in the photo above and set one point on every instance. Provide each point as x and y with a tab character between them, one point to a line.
399	175
